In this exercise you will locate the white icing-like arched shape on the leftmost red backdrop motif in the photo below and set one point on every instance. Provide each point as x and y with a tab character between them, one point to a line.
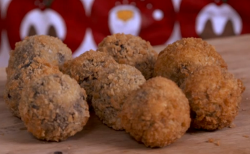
41	20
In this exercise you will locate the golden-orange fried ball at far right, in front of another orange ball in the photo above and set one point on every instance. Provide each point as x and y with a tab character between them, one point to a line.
214	96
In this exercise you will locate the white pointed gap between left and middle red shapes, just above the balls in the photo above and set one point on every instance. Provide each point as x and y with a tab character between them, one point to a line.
87	44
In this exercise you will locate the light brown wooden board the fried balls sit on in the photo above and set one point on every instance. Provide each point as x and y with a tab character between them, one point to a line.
97	138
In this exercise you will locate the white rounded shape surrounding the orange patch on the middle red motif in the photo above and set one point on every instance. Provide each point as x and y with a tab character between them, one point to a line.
131	26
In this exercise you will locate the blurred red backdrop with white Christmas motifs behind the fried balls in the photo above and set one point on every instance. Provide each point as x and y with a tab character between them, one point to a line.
82	24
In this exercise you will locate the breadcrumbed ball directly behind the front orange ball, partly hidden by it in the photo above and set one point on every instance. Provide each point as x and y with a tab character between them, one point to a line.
110	90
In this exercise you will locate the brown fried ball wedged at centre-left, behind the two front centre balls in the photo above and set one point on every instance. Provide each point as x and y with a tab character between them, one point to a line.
84	69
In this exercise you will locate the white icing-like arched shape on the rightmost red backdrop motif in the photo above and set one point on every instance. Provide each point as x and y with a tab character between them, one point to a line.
219	15
